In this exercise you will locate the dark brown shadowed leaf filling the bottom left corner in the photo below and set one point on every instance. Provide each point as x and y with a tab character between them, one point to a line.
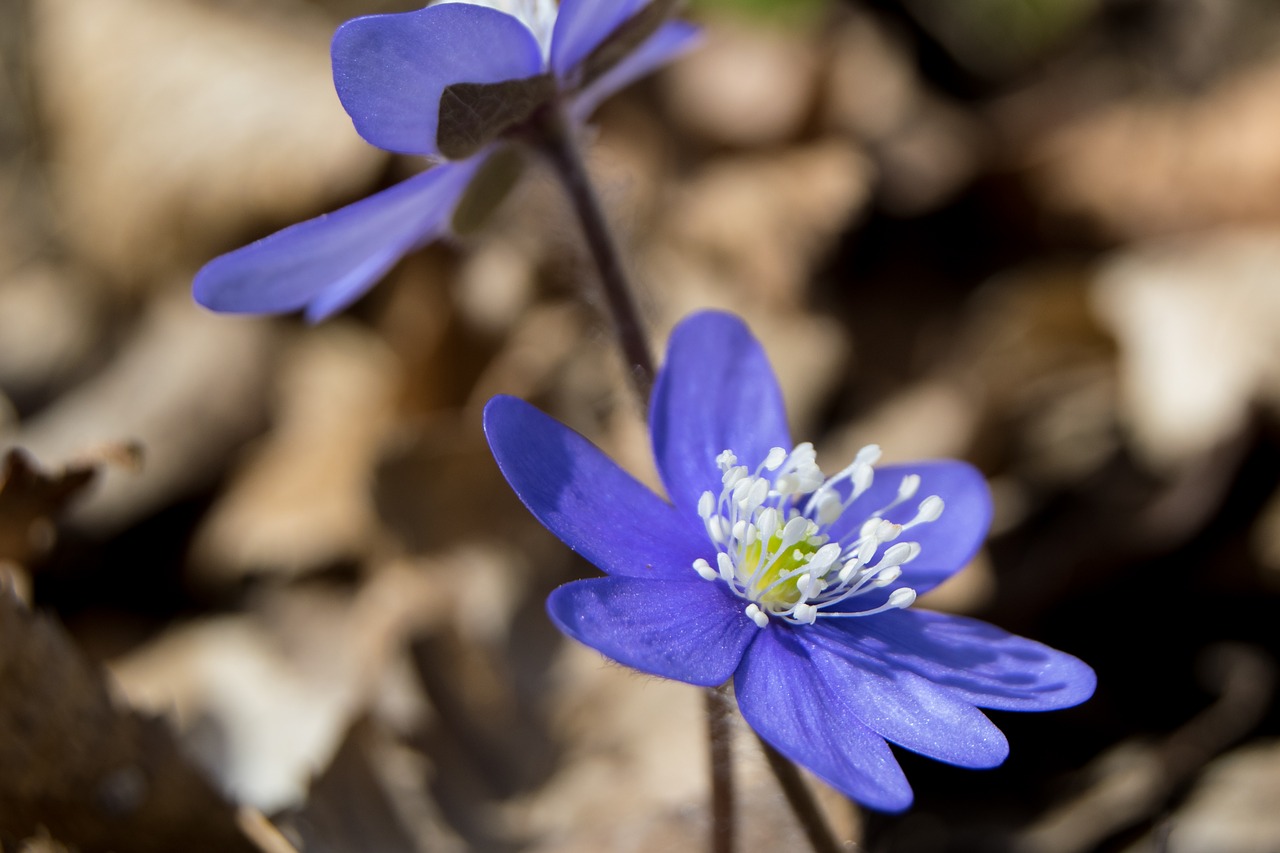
94	776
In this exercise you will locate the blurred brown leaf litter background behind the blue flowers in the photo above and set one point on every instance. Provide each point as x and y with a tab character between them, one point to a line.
264	590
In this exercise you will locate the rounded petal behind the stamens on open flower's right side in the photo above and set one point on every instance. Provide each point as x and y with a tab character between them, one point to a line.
948	544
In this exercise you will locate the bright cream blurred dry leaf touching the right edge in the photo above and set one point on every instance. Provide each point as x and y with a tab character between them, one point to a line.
1197	321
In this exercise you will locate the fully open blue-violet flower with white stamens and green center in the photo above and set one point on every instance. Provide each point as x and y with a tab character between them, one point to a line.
797	586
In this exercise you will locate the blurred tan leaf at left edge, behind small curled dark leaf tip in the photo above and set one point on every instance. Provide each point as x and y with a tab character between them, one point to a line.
188	387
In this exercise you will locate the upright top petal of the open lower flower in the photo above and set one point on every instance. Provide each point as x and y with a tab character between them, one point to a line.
716	393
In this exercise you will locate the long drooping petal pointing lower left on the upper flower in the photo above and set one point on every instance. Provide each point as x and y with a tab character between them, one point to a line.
327	263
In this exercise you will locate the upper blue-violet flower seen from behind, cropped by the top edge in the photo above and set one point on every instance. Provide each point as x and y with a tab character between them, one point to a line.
455	83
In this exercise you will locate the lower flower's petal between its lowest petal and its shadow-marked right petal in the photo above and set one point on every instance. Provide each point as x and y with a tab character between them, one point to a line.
897	704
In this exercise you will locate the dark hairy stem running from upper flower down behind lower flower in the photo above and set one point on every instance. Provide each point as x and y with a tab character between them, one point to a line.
557	143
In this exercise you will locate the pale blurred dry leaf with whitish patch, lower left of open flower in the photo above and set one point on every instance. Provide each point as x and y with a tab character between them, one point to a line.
266	697
